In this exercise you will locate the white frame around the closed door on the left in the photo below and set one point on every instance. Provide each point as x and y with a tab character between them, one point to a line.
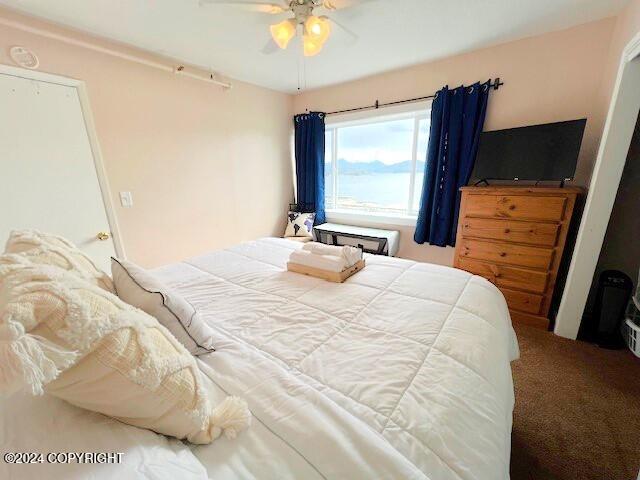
87	115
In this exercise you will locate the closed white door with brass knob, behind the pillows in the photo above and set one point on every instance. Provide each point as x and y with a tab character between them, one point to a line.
48	178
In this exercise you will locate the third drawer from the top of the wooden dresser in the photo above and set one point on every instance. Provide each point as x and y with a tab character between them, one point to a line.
506	253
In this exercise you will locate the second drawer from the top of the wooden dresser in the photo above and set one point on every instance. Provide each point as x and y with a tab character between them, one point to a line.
544	234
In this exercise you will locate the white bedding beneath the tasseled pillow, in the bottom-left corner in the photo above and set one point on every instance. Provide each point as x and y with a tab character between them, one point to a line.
47	425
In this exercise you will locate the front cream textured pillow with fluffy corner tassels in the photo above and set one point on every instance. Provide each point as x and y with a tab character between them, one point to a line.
61	335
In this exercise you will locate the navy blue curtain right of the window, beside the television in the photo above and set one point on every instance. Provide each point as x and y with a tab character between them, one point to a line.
457	118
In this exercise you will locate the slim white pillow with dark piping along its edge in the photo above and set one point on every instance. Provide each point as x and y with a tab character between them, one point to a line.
139	288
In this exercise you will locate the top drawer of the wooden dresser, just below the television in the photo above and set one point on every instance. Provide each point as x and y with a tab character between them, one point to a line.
523	207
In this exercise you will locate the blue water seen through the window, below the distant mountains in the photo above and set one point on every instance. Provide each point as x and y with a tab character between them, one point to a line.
384	192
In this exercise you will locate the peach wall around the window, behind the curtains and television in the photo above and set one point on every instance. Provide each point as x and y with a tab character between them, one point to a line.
553	77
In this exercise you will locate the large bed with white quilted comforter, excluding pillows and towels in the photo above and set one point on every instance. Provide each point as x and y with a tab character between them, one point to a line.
403	371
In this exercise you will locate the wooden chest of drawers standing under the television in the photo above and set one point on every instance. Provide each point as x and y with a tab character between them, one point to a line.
515	237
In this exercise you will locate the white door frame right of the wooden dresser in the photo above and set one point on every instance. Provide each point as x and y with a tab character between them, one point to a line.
603	188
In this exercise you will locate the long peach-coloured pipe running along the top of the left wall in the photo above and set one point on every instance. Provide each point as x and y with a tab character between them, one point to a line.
176	69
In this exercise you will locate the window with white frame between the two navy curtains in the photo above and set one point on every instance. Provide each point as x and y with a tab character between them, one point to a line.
375	165
